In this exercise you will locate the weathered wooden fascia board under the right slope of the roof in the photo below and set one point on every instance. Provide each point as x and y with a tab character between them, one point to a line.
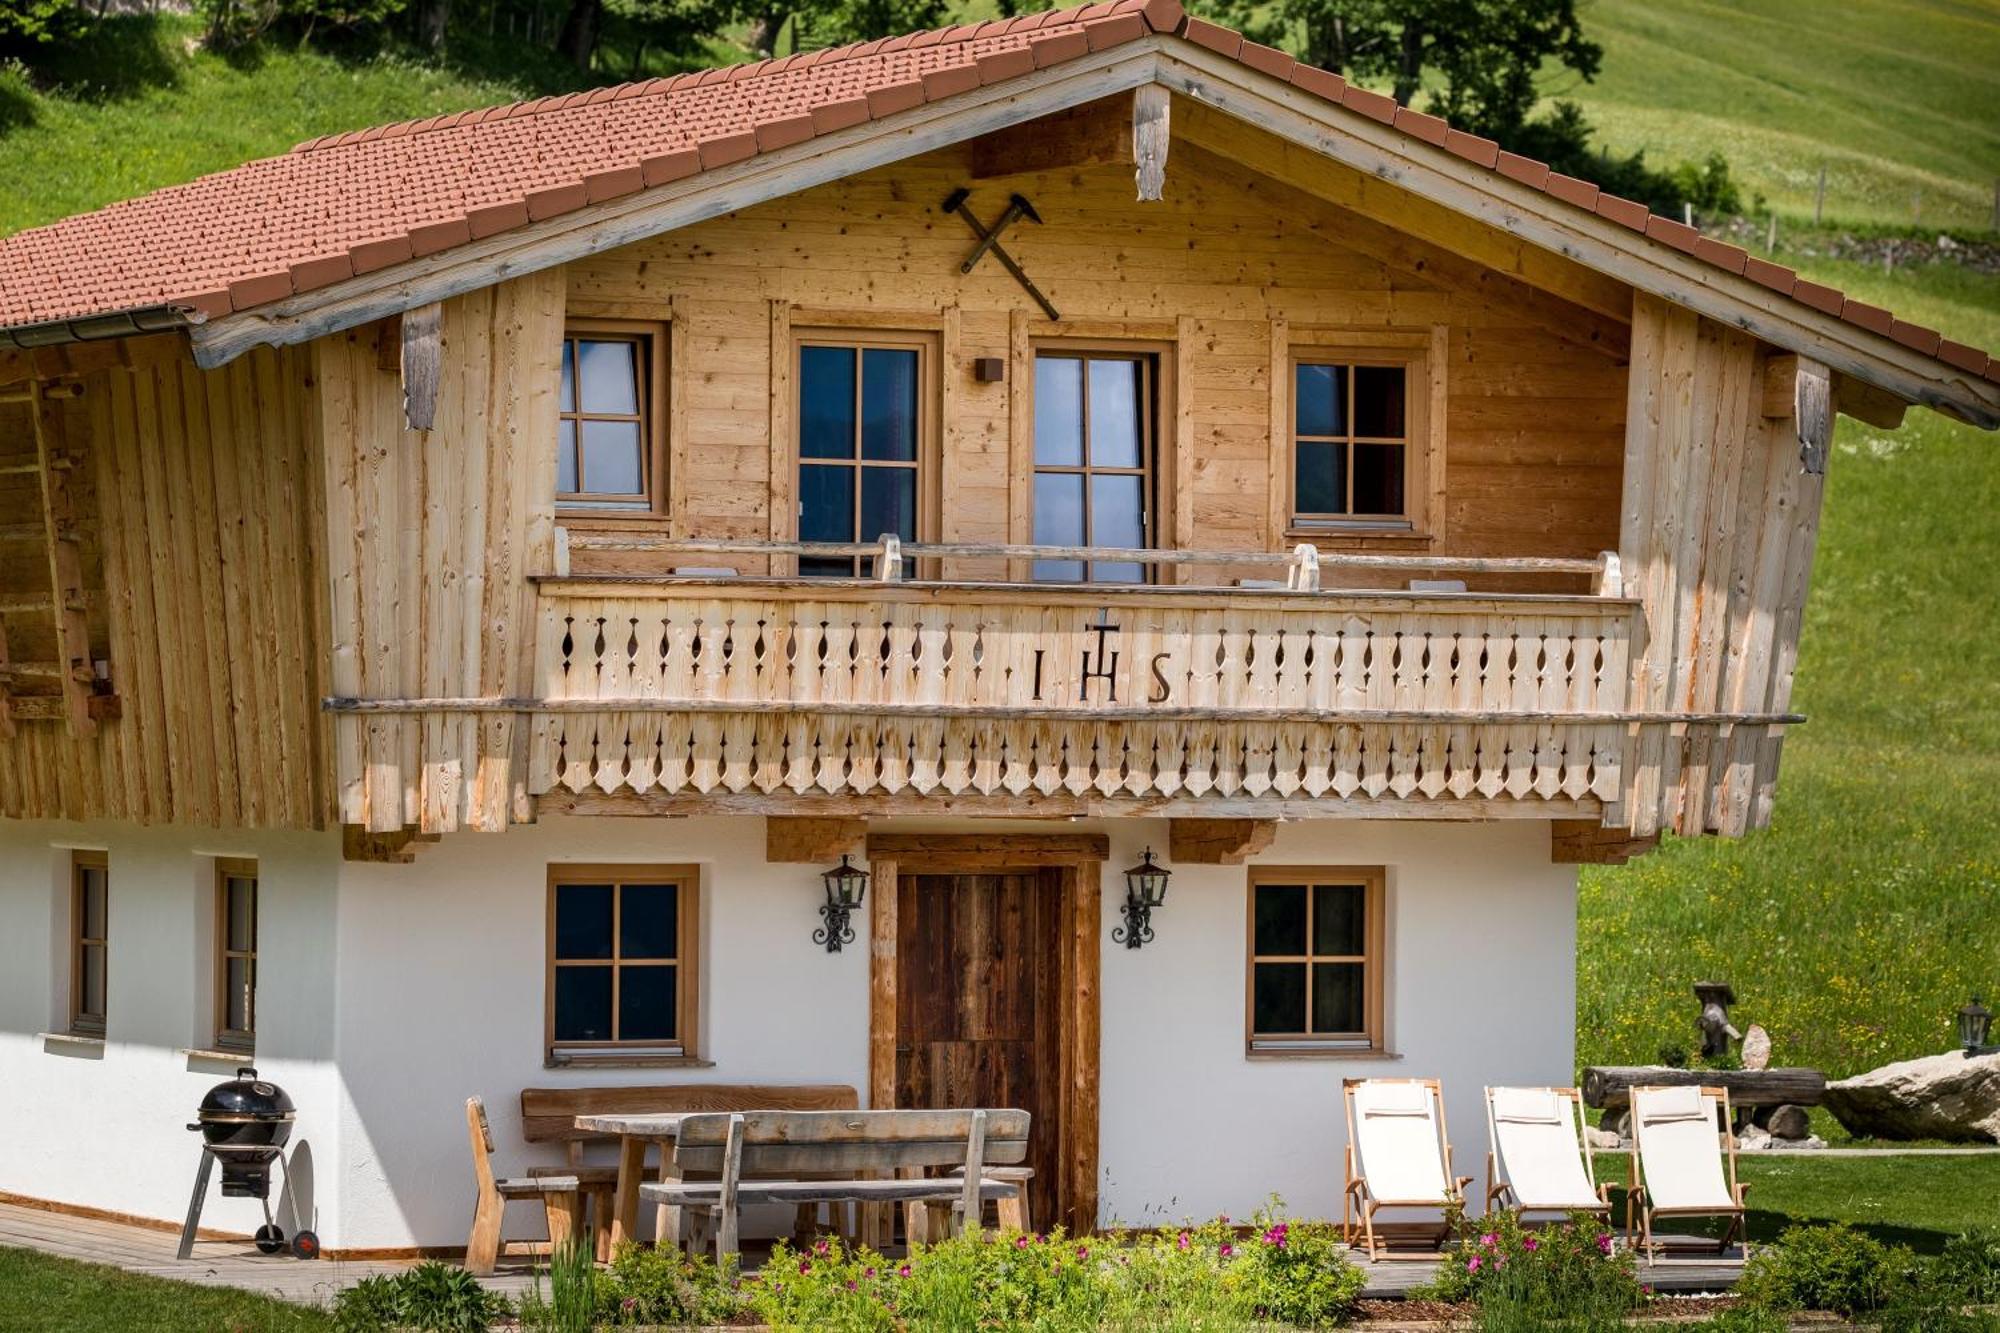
1595	243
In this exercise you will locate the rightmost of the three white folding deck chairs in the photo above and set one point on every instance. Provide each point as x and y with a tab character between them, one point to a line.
1683	1164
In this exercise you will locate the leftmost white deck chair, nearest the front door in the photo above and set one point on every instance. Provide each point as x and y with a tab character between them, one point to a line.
1399	1158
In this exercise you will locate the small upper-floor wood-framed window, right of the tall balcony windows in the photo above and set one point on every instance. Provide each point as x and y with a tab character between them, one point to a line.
1361	441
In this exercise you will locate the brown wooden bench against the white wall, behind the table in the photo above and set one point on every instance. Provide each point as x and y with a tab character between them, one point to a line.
549	1116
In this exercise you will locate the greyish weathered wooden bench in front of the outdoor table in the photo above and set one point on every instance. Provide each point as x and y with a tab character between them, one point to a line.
845	1150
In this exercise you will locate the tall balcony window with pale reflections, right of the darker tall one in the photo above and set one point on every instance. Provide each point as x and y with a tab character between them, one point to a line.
1095	459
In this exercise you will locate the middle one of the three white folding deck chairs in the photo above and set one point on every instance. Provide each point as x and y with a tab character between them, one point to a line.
1539	1158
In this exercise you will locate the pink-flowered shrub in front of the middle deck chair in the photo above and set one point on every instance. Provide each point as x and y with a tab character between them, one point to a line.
1567	1272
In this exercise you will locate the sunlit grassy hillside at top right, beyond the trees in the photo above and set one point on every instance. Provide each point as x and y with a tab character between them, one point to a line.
1893	97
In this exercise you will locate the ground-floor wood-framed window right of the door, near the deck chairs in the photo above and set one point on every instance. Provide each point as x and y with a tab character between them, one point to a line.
1317	960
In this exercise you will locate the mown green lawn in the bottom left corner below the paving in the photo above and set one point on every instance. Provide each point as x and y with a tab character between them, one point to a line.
41	1294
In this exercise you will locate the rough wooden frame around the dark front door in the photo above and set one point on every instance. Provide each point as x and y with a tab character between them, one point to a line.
1079	864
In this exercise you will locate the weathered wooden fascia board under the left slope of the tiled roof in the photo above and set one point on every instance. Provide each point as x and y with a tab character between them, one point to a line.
683	203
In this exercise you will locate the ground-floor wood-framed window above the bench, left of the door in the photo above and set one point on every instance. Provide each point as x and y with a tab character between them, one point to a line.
623	948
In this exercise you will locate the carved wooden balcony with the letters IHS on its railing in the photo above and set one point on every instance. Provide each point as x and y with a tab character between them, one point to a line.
907	696
